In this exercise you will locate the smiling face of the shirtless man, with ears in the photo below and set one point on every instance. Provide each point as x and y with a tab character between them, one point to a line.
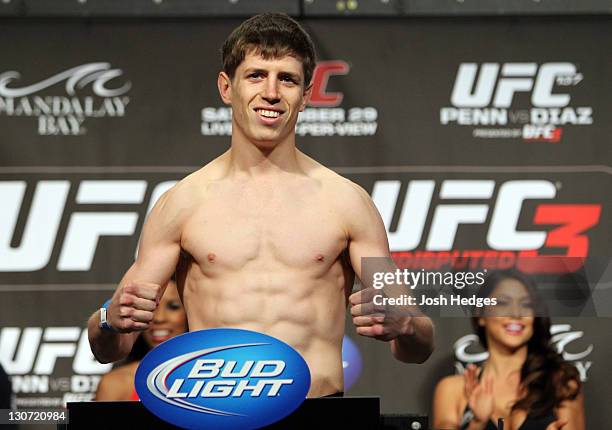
266	97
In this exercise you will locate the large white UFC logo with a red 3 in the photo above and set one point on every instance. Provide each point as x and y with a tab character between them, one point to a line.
571	220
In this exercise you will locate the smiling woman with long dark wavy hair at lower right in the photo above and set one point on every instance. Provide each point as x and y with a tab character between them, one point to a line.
524	380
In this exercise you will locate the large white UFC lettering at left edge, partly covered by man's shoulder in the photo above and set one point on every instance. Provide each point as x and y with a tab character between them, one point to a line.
85	228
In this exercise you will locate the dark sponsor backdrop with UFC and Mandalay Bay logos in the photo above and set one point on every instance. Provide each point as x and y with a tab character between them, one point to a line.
97	119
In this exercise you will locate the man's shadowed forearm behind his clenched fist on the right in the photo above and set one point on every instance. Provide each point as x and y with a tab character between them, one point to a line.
415	347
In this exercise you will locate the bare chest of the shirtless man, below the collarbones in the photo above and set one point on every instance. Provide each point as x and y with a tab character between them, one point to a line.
265	229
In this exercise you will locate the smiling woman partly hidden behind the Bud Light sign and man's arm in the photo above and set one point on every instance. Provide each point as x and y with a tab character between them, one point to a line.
169	320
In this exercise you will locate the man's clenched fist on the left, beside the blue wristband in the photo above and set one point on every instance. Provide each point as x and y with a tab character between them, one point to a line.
132	306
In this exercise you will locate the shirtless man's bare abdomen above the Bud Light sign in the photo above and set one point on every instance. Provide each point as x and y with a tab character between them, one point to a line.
304	308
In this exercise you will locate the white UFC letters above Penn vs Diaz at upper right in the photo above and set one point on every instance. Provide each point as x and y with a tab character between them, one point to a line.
497	89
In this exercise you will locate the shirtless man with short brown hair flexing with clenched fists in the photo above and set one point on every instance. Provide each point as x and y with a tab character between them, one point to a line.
264	238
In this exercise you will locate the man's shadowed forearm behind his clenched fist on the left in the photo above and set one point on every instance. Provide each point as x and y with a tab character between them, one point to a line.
108	346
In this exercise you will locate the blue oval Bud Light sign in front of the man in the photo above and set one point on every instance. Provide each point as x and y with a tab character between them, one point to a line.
222	379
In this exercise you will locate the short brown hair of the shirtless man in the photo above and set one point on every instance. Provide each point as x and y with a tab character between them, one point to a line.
272	35
